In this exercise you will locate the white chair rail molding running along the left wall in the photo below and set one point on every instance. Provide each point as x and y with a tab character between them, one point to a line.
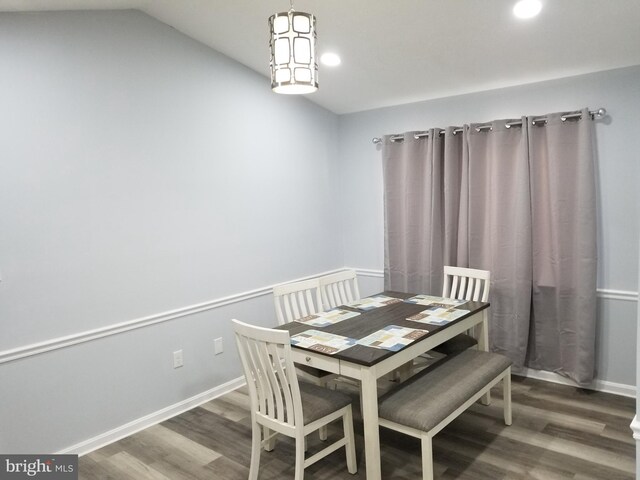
122	327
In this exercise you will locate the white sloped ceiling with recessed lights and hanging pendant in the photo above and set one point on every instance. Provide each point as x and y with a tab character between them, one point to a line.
400	51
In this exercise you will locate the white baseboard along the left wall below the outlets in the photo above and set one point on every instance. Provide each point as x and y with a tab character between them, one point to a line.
154	418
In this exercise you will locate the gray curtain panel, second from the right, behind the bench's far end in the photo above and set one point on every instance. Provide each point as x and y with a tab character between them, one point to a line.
499	230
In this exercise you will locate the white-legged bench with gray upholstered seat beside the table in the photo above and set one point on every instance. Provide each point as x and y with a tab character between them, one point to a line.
430	400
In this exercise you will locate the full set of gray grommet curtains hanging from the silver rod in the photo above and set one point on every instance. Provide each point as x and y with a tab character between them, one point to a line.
517	199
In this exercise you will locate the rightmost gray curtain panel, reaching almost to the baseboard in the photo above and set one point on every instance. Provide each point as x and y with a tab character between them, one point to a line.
563	204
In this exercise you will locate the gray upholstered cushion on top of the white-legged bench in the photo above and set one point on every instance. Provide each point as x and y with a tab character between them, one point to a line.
431	396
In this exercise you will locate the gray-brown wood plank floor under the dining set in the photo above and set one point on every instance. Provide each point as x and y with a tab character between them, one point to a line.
558	432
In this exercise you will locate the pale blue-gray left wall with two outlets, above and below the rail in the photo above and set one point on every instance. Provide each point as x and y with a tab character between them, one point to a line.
141	172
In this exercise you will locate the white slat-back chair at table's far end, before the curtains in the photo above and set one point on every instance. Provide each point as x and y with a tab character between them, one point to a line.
464	284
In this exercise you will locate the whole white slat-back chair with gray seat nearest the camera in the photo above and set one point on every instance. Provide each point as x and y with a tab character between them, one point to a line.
282	405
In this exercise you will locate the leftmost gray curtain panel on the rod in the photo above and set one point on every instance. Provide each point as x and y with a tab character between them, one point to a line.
422	202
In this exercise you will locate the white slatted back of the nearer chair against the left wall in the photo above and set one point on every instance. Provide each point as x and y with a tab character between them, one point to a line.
296	300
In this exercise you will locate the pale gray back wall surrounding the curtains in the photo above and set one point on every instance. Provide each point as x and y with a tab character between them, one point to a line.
618	178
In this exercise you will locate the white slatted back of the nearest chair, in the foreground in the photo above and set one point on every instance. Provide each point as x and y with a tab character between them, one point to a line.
271	377
